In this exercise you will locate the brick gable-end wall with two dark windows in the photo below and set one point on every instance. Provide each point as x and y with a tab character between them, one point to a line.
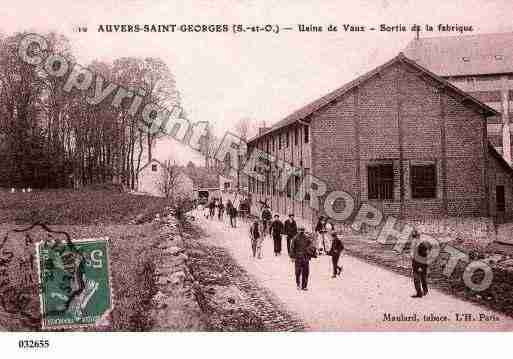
363	128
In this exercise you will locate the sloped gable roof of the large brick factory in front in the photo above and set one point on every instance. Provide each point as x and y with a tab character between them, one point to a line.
316	105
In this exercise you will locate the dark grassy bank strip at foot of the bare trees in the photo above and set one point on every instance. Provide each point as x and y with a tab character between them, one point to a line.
77	207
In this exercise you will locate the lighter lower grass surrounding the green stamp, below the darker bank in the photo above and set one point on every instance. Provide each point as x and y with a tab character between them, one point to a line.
132	257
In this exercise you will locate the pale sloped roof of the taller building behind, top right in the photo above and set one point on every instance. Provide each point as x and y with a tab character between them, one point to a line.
464	55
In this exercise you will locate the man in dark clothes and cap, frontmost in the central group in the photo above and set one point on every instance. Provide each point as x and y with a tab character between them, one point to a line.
301	250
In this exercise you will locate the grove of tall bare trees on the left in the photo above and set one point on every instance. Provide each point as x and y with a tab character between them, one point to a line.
49	135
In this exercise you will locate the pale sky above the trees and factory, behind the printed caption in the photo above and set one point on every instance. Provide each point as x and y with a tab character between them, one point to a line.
223	77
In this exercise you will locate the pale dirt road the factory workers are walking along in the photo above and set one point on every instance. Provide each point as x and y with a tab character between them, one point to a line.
363	298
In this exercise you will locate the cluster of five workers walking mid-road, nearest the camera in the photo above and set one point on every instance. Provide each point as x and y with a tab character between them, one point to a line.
301	248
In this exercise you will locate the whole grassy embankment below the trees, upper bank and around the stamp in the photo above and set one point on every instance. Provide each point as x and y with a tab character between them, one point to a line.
85	214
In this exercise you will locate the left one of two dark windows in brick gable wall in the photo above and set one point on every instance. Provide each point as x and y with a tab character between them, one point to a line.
380	180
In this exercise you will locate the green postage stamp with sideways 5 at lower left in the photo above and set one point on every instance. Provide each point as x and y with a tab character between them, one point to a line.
75	282
